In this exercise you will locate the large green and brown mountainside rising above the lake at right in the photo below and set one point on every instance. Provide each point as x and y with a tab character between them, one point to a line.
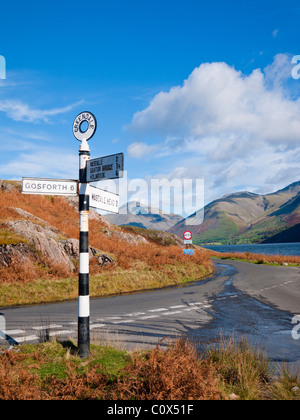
245	217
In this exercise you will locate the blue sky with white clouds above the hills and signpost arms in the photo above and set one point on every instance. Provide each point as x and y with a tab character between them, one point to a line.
186	89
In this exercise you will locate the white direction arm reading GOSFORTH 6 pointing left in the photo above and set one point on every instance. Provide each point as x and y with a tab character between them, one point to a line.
48	186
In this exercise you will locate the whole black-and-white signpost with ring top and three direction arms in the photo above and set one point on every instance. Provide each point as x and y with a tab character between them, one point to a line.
107	167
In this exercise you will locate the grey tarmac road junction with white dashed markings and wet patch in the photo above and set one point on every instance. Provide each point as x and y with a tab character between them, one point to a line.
256	301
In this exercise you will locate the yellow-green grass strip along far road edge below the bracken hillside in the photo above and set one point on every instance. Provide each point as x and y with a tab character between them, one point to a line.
139	277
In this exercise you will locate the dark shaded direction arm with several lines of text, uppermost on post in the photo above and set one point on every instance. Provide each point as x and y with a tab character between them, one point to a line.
107	167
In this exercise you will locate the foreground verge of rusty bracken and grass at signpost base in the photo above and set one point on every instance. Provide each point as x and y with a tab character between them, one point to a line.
231	370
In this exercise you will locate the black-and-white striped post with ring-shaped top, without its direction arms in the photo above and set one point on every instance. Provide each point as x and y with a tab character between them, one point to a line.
83	290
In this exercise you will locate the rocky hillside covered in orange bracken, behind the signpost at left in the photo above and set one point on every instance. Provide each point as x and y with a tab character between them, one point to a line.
39	250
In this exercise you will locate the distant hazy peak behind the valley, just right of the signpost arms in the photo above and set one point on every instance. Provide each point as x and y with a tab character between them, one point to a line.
137	214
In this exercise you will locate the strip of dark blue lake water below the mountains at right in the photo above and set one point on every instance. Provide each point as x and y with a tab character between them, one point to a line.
269	249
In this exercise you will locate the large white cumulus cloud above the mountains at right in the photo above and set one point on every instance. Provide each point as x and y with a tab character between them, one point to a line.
241	130
